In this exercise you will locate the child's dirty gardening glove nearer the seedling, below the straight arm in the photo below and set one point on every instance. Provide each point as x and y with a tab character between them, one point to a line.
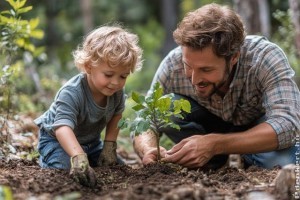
108	155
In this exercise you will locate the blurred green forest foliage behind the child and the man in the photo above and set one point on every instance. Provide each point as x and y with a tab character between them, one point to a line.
27	55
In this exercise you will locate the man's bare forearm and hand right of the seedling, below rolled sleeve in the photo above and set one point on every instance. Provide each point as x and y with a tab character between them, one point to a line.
197	150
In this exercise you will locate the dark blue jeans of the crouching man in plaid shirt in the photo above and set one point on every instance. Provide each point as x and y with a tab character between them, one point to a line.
200	122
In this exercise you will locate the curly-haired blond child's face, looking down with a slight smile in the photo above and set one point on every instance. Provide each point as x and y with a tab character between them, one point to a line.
104	80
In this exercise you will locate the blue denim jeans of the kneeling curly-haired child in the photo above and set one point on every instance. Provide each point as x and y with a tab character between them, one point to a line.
52	155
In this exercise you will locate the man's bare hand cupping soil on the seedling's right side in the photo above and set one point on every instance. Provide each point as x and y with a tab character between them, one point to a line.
192	152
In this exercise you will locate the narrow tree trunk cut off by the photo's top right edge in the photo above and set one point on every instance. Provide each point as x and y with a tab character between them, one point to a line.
295	8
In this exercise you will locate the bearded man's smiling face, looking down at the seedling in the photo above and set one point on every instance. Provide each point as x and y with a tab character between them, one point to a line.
208	73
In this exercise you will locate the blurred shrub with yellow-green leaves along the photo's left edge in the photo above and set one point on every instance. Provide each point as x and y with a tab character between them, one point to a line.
16	34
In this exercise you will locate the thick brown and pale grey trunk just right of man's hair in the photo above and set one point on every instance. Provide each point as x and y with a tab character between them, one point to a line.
255	15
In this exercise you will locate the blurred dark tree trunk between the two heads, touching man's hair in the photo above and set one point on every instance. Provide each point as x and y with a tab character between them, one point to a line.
169	14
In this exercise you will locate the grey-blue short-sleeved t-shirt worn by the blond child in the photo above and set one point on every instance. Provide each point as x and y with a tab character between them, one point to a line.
74	106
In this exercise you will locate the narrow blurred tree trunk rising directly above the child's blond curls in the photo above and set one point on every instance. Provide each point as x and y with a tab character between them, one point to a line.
87	14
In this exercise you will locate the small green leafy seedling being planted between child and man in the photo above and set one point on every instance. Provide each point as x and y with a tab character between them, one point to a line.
154	112
